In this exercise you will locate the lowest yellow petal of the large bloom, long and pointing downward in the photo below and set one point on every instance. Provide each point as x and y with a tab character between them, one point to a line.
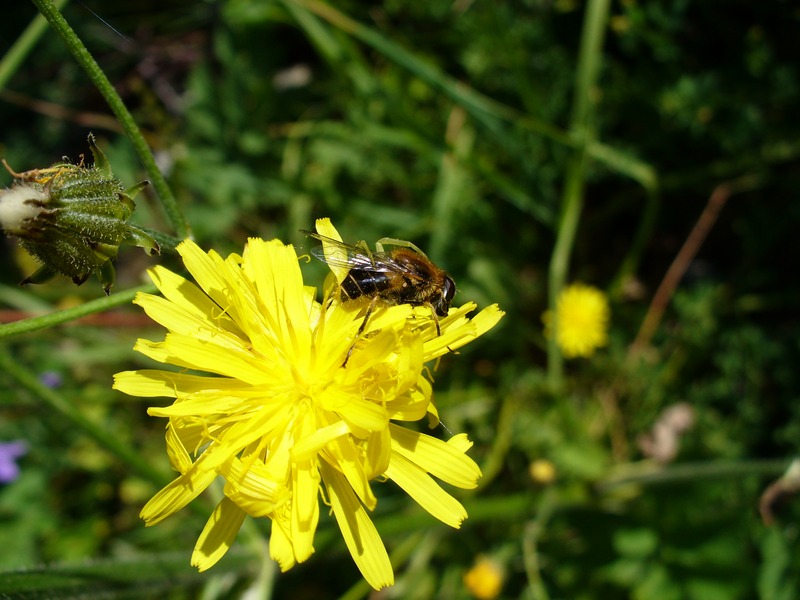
359	533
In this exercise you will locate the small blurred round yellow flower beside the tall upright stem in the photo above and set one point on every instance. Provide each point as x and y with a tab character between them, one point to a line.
582	316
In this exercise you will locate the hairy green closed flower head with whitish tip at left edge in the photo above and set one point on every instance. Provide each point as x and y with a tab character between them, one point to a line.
73	219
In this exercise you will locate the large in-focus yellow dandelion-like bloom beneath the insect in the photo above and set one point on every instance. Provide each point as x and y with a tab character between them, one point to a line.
280	418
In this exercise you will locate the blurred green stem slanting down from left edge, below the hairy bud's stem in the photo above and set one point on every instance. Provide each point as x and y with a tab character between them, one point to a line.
57	402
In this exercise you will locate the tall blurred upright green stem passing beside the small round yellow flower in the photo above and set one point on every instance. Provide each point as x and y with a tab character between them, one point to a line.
581	130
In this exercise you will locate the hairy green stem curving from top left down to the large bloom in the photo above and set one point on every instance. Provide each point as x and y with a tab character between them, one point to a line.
50	12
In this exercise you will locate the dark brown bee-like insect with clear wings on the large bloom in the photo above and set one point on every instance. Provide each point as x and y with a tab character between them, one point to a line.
403	275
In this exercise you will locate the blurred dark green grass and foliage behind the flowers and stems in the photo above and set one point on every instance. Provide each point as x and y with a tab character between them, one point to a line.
446	123
